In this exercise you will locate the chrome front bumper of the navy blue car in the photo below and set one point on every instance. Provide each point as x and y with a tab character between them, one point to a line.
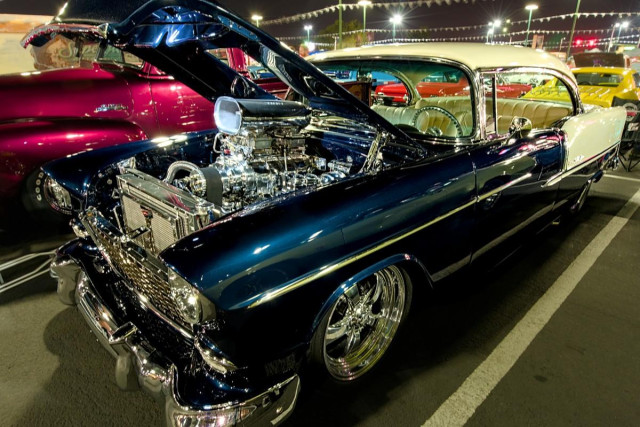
139	364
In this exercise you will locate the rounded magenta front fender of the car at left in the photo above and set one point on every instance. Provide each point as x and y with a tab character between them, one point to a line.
28	144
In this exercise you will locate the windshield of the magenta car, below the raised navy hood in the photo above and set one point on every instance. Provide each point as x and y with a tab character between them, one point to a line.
66	51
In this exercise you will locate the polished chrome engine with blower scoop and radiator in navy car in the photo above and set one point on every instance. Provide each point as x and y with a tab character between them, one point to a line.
260	152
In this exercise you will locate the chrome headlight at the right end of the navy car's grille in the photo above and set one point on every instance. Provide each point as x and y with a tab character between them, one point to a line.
194	308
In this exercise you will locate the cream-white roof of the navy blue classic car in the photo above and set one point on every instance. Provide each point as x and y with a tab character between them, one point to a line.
473	55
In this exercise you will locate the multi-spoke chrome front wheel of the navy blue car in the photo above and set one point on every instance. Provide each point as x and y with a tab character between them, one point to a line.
362	323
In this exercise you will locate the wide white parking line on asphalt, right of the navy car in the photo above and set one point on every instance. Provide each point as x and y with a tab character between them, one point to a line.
462	404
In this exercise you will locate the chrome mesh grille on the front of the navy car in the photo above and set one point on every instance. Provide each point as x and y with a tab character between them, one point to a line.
151	287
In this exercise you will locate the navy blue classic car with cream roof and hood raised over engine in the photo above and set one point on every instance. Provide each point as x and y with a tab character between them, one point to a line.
216	265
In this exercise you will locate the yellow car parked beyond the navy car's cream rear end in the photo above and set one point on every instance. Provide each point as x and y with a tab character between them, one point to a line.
603	86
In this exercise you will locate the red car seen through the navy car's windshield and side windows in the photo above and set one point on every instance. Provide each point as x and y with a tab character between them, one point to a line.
444	84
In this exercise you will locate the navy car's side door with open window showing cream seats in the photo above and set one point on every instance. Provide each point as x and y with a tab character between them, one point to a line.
513	165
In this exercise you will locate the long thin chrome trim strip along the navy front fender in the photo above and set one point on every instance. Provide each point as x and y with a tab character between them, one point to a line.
268	296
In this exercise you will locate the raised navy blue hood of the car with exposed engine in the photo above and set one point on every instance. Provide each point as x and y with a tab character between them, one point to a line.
176	35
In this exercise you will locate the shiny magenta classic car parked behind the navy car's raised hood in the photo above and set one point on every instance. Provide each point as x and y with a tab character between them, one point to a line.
86	95
